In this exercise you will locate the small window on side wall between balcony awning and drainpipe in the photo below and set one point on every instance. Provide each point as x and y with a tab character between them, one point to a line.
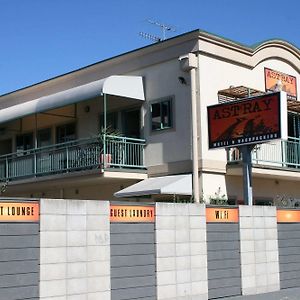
161	115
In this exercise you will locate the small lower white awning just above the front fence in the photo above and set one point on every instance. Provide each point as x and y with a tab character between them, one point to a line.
166	185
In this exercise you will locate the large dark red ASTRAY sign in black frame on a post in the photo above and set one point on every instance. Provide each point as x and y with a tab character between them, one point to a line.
250	121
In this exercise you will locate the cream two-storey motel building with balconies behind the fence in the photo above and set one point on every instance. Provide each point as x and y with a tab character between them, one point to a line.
92	132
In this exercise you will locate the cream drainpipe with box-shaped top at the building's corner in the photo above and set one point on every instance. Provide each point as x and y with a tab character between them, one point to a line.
189	64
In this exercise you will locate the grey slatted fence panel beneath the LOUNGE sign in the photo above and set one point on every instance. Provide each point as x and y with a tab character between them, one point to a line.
19	261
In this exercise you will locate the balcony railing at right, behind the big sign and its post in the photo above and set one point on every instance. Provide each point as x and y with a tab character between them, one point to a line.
282	154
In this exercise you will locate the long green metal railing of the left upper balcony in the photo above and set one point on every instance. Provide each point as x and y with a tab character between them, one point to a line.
84	154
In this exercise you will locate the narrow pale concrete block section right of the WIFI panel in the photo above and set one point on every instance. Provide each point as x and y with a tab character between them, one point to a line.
259	249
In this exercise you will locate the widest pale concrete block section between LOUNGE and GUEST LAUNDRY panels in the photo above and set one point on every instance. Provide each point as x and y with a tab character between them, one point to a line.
74	250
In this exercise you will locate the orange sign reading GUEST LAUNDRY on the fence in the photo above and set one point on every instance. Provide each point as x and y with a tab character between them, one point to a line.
132	214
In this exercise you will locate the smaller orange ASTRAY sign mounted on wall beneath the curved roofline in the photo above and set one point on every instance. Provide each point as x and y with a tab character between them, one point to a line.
287	82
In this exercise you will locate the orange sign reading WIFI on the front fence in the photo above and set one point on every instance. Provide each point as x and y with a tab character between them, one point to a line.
222	215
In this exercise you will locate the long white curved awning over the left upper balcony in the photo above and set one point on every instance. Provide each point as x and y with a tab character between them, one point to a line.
124	86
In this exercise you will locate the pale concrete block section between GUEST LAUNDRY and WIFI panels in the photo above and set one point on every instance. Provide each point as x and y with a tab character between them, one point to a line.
181	252
